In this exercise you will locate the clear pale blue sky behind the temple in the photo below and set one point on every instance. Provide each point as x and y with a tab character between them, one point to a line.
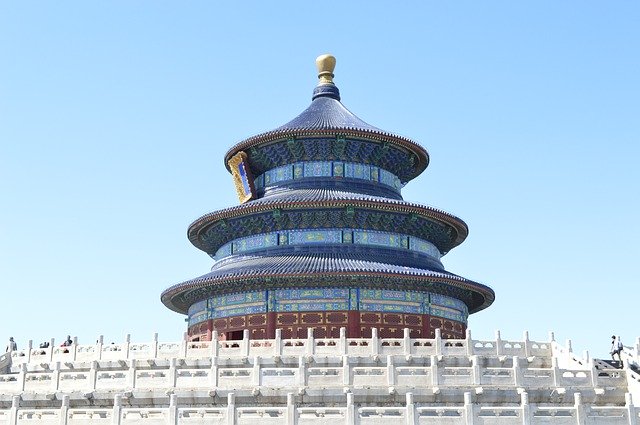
115	116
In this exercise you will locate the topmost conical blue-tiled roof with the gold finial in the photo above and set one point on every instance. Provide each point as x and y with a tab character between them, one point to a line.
328	116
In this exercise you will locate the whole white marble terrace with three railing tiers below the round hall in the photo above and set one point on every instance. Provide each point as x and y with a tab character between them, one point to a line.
317	381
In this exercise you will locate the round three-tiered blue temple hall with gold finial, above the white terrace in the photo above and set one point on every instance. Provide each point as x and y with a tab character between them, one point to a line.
323	239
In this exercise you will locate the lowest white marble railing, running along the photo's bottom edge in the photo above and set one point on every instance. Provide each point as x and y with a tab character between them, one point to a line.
347	412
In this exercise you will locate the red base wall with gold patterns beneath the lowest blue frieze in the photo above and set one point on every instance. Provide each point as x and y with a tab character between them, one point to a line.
327	324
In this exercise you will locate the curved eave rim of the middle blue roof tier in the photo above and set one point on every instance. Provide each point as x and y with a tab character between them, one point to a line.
195	228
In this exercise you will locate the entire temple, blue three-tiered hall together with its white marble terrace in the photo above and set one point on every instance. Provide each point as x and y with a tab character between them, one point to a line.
327	304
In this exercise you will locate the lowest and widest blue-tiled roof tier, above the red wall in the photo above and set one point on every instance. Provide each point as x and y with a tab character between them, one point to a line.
242	272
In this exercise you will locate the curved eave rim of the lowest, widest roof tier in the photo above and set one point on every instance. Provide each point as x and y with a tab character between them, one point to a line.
170	297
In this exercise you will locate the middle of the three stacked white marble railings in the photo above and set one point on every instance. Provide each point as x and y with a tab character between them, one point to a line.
227	374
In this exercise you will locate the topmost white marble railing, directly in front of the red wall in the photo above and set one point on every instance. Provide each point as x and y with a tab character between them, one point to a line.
284	347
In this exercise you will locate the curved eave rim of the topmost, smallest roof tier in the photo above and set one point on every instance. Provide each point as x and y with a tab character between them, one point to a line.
382	136
